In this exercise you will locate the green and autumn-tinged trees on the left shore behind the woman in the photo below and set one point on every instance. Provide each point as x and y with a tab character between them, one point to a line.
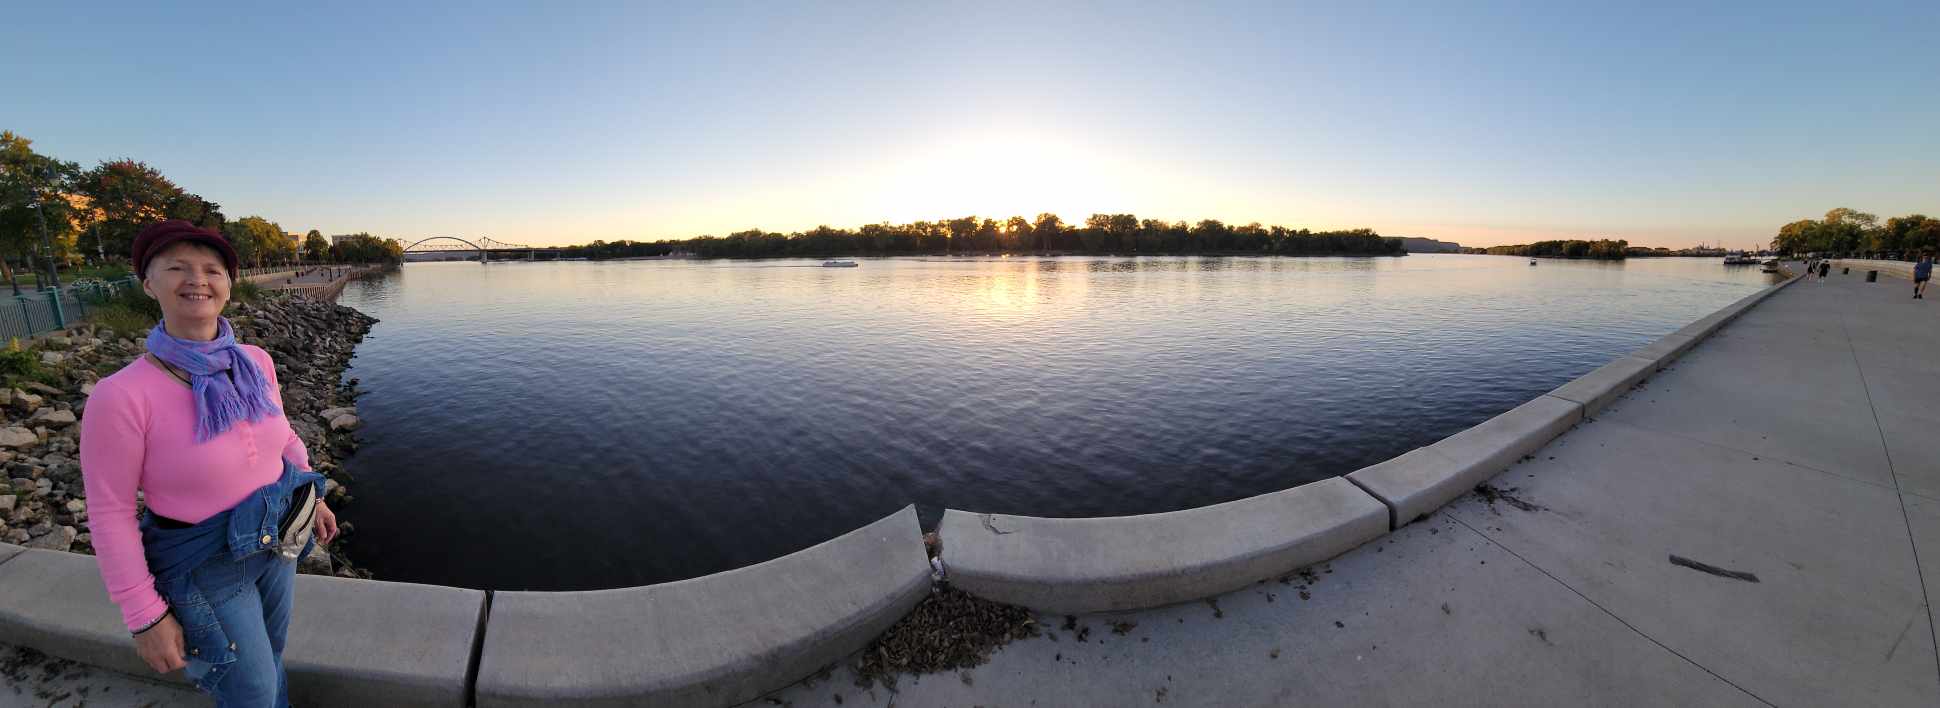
92	216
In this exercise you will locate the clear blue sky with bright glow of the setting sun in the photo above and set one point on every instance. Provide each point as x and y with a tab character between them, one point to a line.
566	123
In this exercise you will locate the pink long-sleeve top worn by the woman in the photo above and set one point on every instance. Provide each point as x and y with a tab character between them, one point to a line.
139	432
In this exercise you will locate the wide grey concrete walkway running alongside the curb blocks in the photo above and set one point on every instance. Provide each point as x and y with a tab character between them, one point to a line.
1795	447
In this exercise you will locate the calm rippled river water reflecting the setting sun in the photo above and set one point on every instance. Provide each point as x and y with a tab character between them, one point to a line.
577	426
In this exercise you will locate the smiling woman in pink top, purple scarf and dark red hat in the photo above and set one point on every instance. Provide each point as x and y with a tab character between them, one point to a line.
205	579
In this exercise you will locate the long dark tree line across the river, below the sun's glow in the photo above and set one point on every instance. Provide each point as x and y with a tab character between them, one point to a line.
1103	234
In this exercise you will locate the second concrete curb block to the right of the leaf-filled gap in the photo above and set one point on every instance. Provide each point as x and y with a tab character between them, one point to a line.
1421	482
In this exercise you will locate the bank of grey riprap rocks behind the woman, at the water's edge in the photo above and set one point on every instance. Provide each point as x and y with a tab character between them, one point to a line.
42	496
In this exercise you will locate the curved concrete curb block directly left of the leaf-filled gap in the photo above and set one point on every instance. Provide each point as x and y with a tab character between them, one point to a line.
713	641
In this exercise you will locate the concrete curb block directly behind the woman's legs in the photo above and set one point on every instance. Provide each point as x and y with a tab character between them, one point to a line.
350	639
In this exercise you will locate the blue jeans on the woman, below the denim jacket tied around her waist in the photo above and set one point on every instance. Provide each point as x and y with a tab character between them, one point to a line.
251	600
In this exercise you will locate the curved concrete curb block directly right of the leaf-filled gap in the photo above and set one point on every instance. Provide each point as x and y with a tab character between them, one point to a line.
1085	565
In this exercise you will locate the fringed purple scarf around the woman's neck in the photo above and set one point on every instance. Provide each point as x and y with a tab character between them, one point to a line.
220	401
